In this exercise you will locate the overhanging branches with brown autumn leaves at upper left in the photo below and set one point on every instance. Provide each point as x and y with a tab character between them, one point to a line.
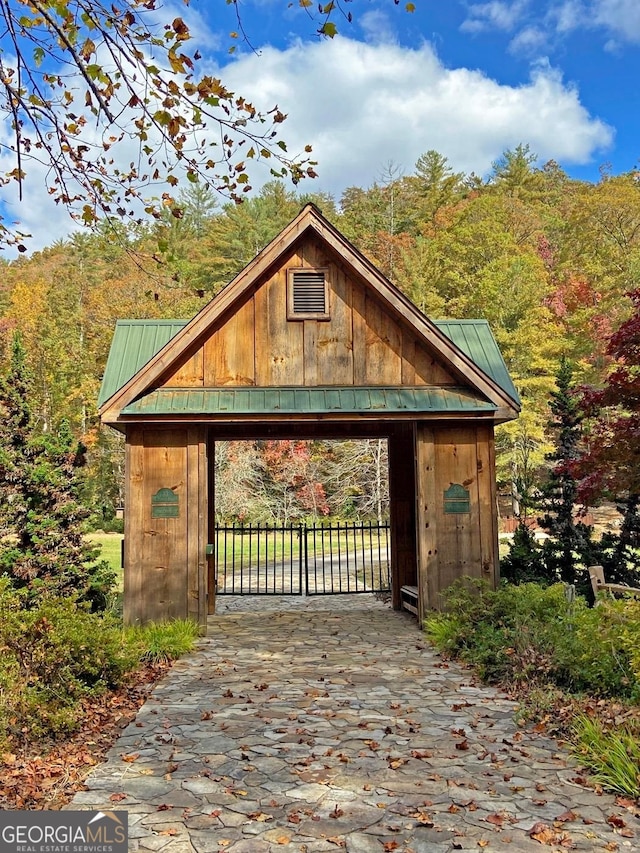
107	102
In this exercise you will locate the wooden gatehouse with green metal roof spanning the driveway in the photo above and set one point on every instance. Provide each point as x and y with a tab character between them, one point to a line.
310	340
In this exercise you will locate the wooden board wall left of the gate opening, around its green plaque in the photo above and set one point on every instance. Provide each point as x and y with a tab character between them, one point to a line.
164	575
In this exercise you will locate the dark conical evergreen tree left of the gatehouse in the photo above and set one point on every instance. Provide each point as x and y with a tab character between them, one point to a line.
42	547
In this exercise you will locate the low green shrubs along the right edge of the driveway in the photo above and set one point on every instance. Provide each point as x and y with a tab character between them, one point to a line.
537	635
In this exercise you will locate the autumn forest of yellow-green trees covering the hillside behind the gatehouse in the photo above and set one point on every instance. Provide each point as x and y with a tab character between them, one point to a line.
548	260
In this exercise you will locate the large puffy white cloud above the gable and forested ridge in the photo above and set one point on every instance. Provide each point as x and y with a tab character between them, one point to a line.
361	106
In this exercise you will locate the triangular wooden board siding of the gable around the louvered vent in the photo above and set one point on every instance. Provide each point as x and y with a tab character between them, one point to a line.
361	344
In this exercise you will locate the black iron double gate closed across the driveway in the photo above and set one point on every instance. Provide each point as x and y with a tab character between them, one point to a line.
302	559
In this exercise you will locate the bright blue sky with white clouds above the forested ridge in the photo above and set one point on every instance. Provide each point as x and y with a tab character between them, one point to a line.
468	79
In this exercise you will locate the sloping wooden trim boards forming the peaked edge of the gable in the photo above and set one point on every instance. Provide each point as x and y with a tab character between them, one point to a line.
309	222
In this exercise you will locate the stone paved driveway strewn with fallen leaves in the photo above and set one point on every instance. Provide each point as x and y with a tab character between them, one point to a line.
329	724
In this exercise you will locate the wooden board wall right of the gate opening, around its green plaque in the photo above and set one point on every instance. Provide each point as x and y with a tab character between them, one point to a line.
453	545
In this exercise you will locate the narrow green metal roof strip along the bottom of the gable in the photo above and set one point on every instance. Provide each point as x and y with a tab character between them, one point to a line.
248	400
